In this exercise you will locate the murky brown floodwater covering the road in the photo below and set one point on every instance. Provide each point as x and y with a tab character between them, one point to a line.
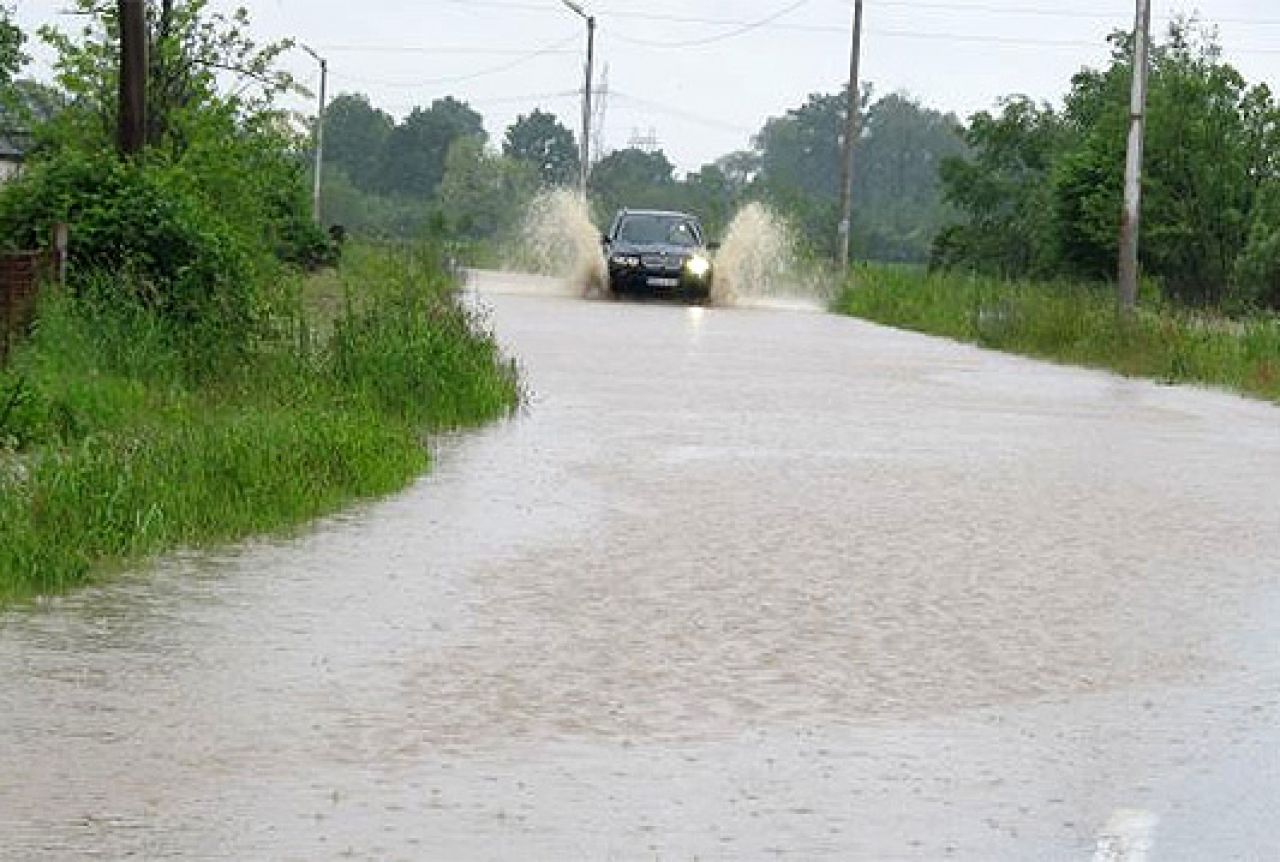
738	585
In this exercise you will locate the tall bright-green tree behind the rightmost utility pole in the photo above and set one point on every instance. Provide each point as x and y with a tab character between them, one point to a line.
1208	157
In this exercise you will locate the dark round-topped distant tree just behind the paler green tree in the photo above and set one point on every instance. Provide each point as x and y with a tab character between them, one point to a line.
417	149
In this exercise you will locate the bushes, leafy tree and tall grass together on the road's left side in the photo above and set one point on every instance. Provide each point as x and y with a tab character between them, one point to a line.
212	370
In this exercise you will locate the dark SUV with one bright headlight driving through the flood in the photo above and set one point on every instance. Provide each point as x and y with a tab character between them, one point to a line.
659	253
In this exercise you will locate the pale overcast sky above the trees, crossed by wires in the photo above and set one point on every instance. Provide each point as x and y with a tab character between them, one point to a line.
702	84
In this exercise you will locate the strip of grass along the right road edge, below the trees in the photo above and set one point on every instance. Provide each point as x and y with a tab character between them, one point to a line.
1076	325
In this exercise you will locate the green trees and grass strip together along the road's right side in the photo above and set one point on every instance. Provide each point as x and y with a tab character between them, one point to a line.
1028	267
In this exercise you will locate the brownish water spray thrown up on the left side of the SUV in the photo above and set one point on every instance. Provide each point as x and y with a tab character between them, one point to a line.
559	239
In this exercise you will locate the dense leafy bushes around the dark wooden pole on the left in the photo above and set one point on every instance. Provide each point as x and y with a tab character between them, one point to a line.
199	226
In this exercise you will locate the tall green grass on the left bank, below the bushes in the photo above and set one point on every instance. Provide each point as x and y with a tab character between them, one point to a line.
122	436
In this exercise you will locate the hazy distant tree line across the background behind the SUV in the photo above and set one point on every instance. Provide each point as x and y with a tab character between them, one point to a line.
437	170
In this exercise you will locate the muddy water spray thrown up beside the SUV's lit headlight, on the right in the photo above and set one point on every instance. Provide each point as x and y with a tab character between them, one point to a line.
757	259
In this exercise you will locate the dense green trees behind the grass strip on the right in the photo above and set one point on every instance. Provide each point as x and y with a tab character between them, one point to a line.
1043	190
